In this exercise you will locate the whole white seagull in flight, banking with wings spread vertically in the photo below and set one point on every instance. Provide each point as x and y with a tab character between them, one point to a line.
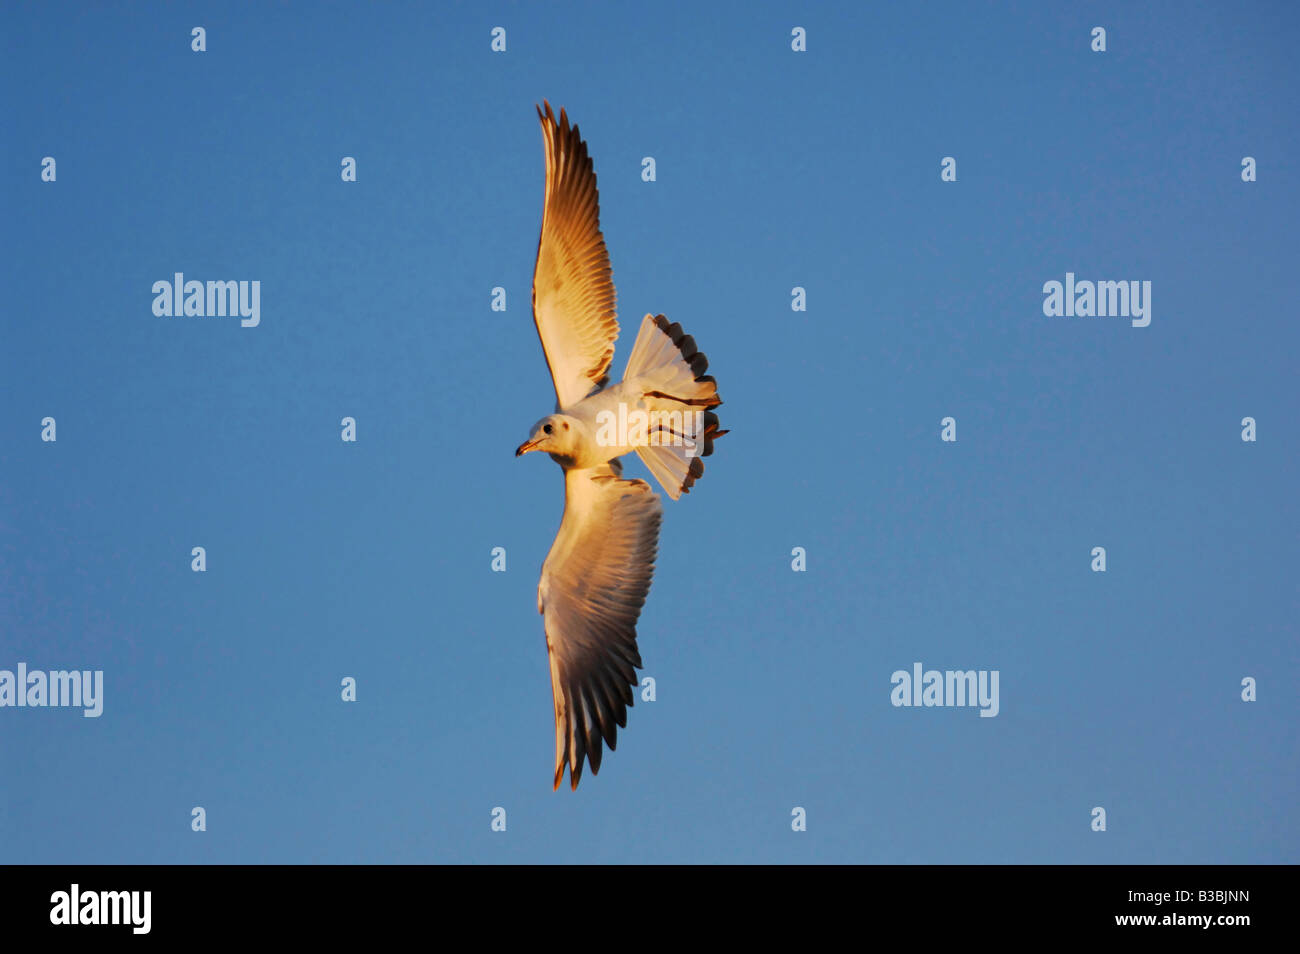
597	574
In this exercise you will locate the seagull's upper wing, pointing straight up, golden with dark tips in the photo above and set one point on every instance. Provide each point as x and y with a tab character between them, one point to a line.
574	300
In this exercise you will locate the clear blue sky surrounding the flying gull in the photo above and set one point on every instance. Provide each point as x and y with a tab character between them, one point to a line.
775	170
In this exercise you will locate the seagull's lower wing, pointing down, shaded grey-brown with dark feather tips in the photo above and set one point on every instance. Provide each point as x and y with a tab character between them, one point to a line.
593	586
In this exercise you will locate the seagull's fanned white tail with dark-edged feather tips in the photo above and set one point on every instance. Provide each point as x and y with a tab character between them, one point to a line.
666	371
